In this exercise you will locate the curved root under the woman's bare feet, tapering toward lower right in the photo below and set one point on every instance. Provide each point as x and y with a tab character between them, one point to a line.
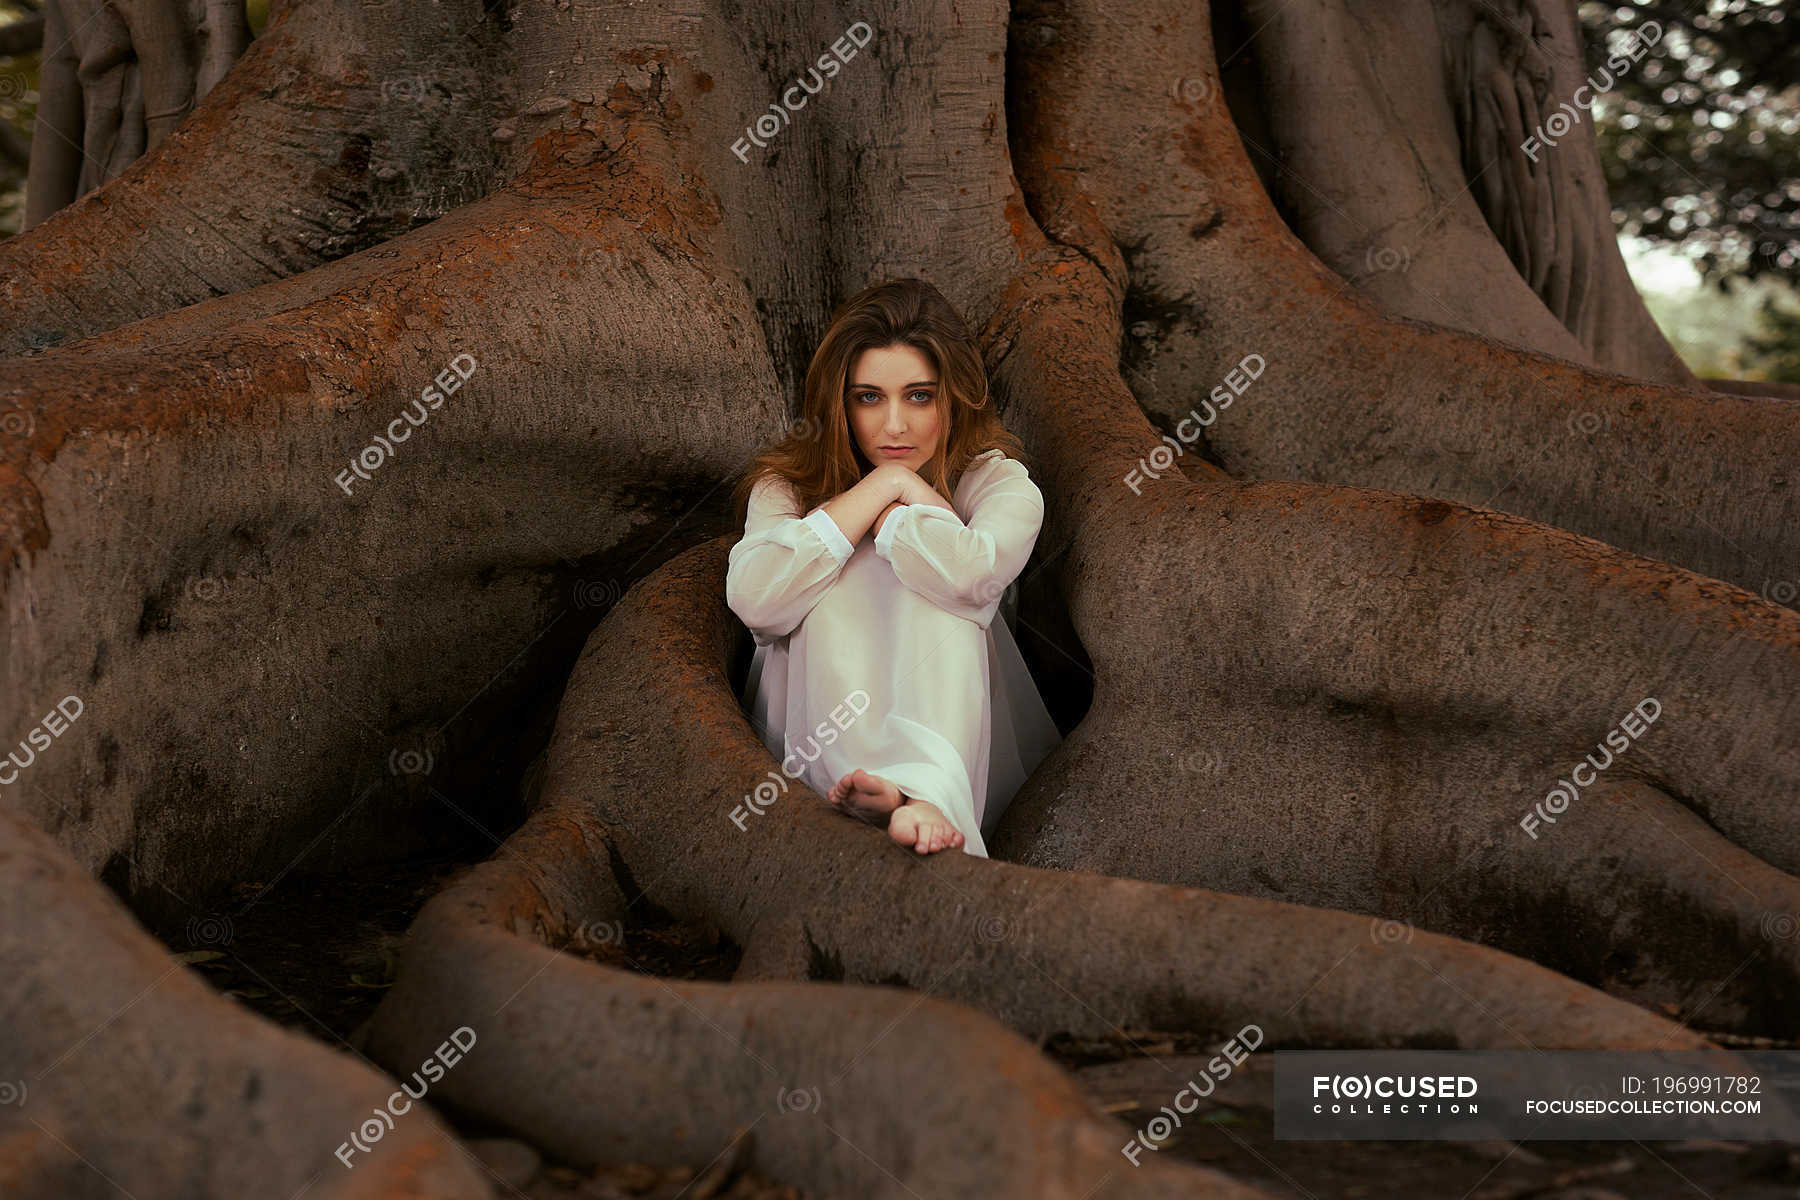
660	757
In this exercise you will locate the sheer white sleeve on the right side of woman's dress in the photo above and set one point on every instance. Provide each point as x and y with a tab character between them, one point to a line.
967	568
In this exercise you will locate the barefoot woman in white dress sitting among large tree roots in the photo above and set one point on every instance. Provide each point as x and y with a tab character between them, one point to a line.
879	663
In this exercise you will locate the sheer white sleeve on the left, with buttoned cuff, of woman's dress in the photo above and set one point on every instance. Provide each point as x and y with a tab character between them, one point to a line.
784	564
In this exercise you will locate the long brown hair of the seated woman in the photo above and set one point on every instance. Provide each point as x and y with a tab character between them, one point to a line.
822	460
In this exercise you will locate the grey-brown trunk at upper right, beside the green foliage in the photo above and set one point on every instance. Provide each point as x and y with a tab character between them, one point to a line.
1470	228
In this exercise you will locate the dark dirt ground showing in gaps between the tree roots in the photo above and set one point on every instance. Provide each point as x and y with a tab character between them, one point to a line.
316	954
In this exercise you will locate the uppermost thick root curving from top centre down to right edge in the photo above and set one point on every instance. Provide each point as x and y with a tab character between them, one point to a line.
1128	141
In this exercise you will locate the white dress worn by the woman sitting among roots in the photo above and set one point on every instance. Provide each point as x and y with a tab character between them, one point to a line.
886	656
